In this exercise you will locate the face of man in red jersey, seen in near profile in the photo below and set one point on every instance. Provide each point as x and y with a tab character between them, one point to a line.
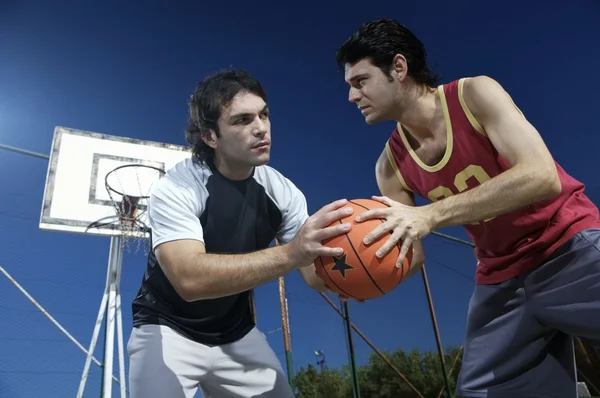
375	93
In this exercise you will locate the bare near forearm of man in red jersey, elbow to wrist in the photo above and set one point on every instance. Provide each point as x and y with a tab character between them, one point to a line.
515	188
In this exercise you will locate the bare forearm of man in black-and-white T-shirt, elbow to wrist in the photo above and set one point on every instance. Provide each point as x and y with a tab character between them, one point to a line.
209	276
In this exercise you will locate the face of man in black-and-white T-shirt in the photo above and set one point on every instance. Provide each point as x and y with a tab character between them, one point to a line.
245	130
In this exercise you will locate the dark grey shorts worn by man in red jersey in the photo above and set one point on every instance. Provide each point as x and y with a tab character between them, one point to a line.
518	339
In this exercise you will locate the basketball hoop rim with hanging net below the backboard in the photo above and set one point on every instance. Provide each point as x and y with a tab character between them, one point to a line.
128	187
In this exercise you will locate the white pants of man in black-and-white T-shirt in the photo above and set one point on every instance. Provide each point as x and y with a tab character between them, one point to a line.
165	364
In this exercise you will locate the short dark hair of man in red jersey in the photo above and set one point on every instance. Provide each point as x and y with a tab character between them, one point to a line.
379	41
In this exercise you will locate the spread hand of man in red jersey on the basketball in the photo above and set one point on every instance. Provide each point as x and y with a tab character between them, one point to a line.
406	223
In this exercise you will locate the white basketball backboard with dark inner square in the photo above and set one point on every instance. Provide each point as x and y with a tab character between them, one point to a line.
75	196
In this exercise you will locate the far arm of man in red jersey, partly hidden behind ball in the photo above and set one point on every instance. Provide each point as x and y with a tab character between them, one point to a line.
390	186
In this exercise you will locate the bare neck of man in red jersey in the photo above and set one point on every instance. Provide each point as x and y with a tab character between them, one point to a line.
419	112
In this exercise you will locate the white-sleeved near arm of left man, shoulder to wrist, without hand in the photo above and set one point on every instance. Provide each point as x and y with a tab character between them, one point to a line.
178	242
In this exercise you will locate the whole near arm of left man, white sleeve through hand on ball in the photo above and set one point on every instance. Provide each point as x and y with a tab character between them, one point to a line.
178	242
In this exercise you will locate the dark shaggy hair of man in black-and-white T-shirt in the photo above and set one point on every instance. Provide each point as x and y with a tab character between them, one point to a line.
210	96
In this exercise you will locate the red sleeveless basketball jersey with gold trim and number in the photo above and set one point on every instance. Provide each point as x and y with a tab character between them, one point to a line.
507	245
